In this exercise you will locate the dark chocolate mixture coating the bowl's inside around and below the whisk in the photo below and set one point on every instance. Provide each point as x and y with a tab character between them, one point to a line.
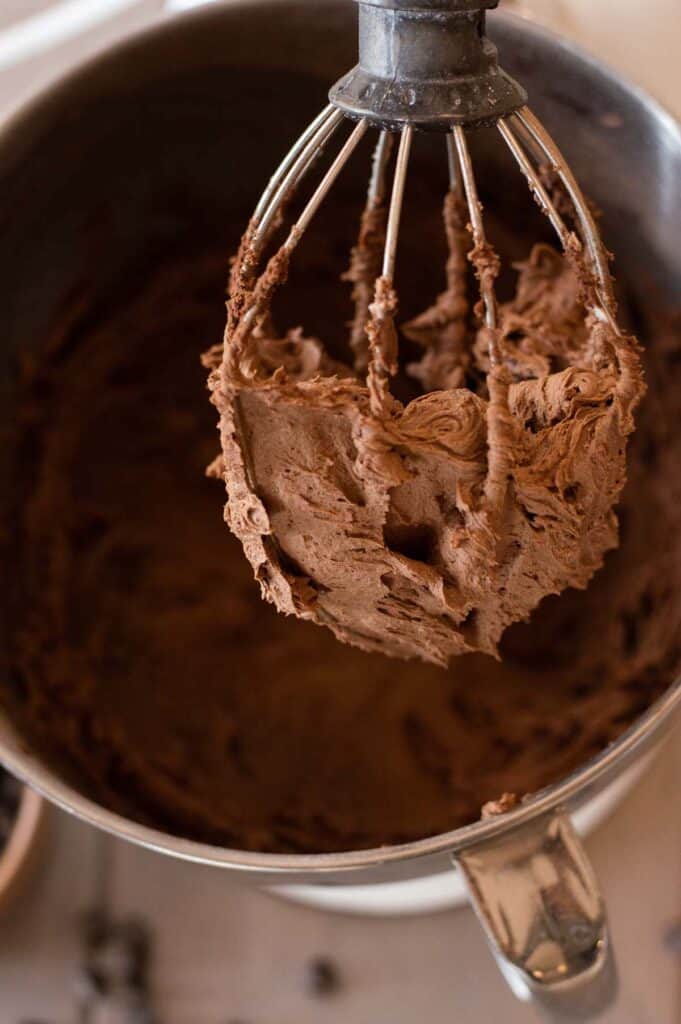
145	663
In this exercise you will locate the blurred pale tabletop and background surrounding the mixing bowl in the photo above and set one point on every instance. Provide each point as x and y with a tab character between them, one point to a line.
95	931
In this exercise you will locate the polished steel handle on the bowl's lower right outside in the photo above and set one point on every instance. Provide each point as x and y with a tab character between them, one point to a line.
538	899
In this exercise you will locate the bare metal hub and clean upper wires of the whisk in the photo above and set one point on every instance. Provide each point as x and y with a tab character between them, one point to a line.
429	66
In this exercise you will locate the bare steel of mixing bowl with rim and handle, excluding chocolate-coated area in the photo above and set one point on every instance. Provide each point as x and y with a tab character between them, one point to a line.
174	132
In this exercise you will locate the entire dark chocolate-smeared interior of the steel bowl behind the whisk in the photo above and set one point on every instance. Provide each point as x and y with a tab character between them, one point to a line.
122	194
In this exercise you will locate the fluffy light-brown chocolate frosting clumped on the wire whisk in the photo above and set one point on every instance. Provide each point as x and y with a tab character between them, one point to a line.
425	530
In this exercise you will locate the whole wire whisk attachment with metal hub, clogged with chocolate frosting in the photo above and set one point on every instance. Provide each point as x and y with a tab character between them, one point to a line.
465	572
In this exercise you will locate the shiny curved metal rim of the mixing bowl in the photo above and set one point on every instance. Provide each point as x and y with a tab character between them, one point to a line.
593	774
